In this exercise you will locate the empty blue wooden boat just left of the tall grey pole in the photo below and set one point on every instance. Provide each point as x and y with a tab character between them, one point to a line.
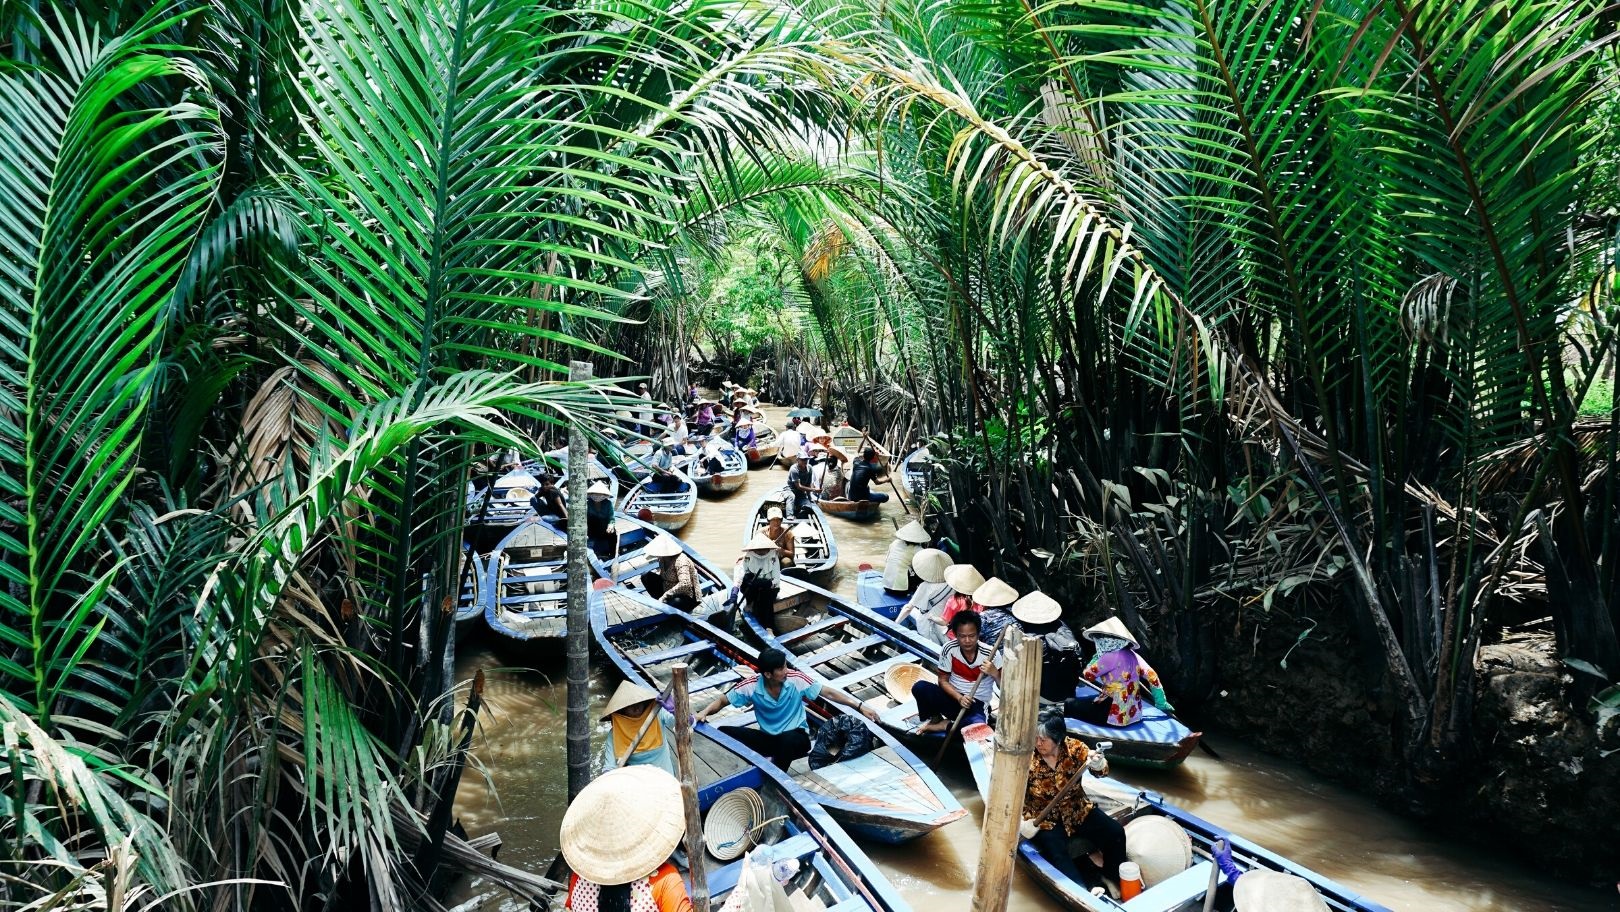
529	589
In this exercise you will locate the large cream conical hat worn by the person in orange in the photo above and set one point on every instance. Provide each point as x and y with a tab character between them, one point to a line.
623	825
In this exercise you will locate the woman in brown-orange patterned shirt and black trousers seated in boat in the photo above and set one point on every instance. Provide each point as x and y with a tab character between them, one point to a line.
1057	761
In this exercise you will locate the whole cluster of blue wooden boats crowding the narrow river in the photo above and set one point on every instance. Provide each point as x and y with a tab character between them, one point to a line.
811	819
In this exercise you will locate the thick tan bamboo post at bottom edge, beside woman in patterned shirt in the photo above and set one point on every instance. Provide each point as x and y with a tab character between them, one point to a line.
1008	775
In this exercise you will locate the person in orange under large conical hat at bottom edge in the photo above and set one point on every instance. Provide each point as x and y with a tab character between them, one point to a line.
618	838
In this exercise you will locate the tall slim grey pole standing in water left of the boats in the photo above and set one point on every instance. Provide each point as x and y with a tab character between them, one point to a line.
579	728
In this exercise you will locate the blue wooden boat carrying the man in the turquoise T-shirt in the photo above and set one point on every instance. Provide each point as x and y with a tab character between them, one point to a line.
885	795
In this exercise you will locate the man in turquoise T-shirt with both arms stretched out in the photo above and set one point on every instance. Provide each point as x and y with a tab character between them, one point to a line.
778	697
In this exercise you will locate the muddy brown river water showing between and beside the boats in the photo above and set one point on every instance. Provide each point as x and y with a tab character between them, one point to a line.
521	786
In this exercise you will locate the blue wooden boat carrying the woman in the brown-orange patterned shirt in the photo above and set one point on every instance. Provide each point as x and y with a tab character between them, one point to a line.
1183	892
